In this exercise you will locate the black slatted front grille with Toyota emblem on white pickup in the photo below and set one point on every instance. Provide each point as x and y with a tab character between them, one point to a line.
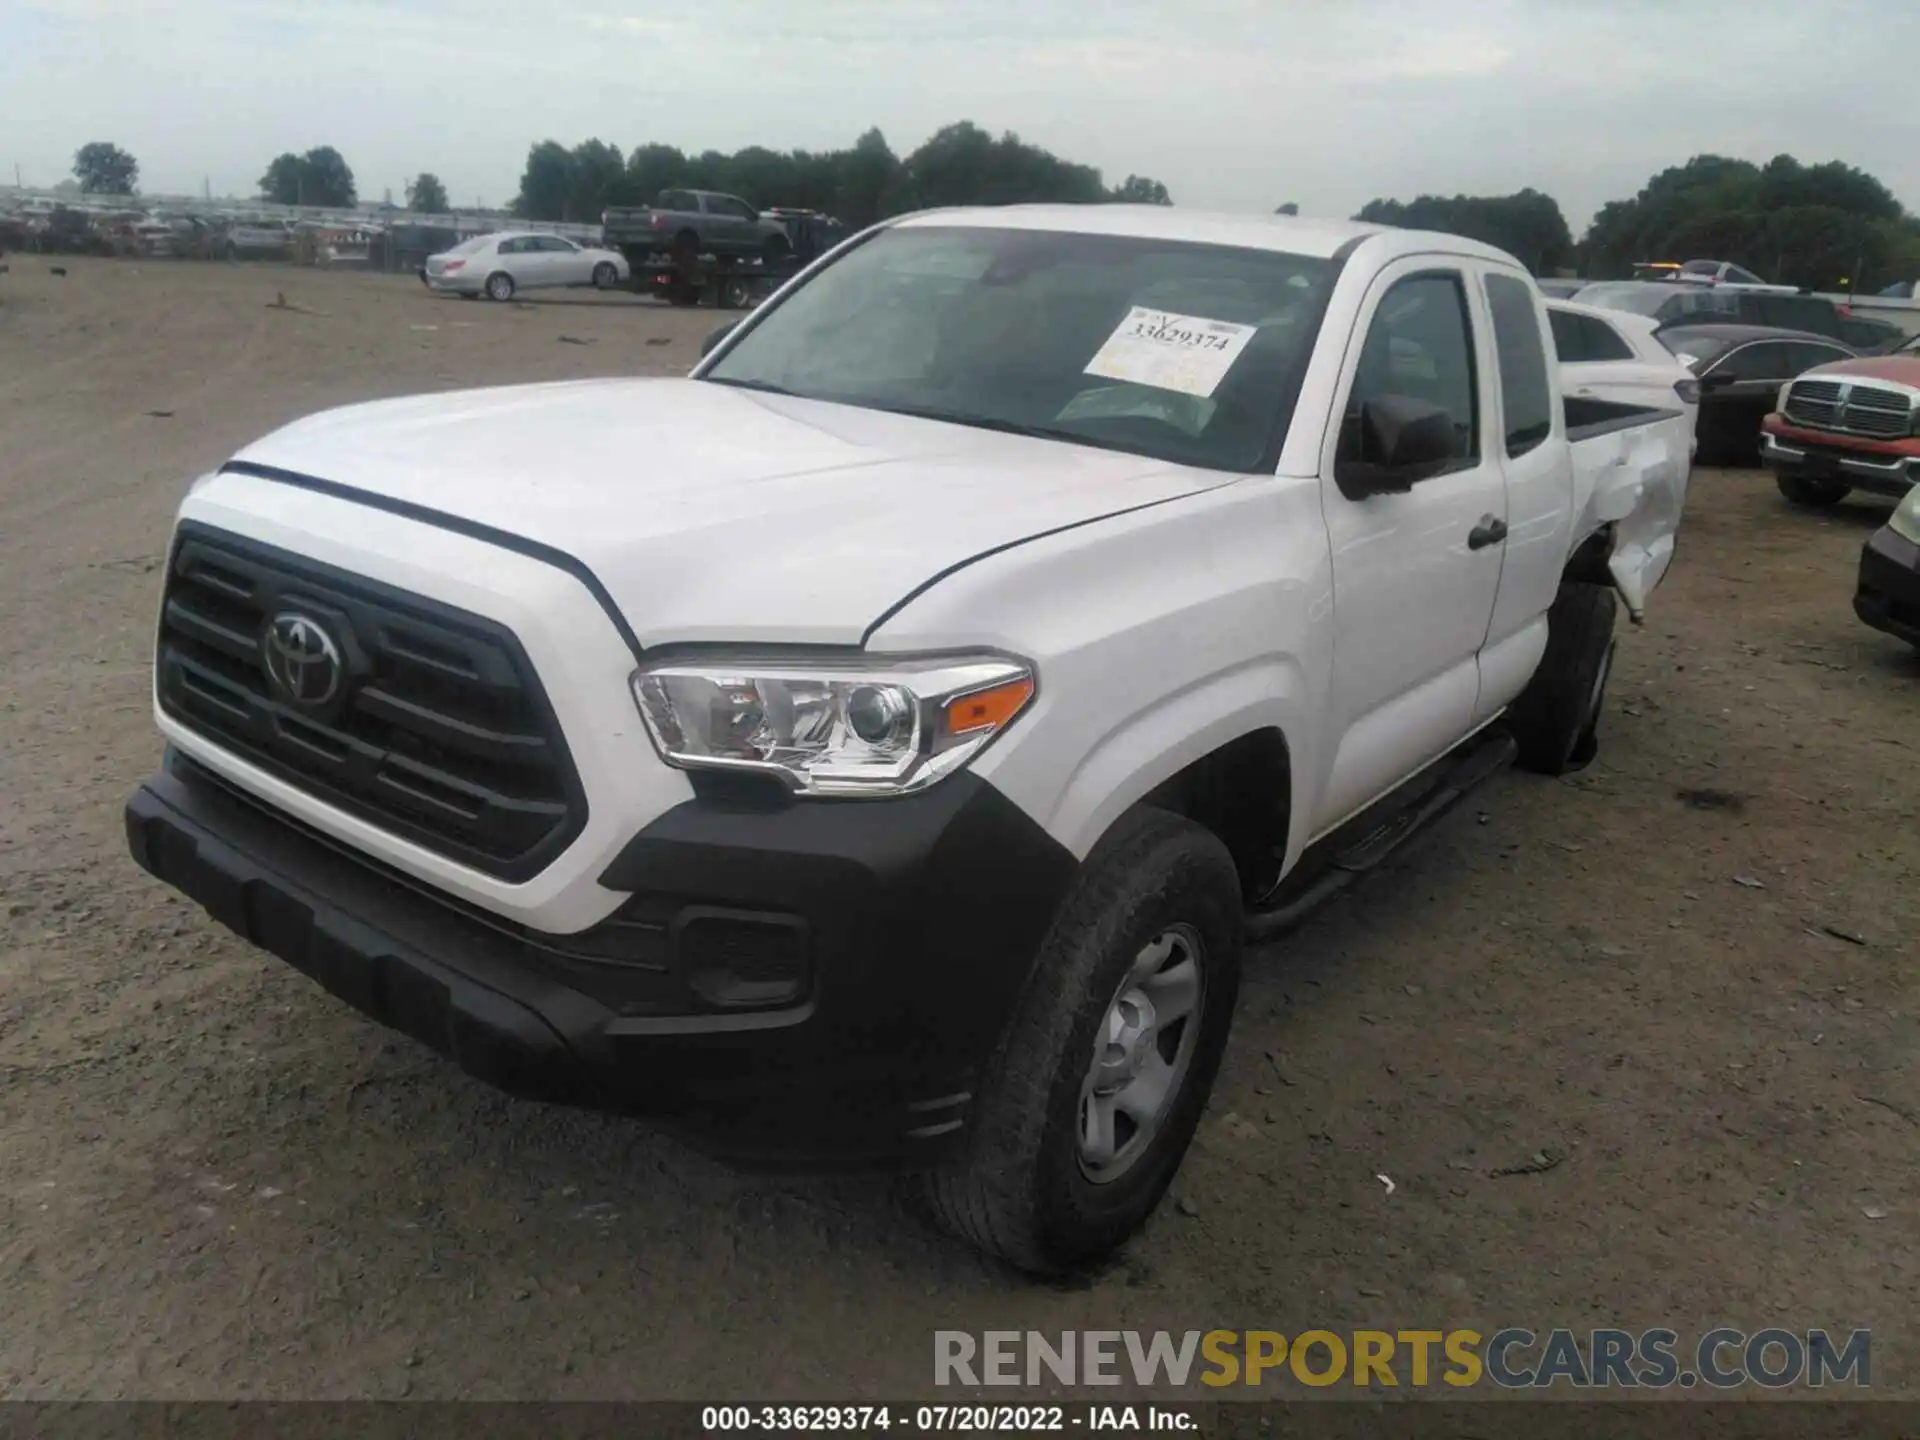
439	729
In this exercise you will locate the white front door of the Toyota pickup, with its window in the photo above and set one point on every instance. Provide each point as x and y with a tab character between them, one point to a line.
1416	575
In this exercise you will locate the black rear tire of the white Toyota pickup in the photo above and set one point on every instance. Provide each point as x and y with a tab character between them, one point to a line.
1556	721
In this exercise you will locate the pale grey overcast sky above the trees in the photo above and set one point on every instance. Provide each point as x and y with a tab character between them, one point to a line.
1237	105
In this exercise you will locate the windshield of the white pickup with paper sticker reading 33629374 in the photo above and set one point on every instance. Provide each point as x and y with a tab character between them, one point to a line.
1164	348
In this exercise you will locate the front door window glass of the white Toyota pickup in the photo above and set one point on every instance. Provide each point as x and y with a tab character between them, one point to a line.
1420	347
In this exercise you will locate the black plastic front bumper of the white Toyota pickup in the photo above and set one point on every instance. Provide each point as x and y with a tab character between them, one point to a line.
919	921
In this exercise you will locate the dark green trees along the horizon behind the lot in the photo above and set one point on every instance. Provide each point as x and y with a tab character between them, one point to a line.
1823	226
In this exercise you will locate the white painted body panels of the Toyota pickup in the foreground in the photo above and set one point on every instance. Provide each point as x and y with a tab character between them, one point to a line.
1168	612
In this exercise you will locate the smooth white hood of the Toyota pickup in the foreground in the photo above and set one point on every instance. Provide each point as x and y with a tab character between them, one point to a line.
719	514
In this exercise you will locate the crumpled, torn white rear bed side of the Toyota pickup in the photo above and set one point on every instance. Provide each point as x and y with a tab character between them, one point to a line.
1635	481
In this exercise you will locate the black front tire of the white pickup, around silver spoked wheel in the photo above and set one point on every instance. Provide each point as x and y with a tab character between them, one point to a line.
1020	1189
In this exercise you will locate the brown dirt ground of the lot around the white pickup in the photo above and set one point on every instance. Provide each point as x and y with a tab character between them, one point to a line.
218	1182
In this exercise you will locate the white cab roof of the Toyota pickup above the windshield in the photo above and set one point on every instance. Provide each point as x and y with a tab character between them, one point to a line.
1280	233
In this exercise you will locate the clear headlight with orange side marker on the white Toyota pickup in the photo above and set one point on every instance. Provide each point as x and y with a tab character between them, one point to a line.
857	727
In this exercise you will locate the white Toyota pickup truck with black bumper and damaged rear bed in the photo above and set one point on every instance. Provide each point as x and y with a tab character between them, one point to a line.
882	744
